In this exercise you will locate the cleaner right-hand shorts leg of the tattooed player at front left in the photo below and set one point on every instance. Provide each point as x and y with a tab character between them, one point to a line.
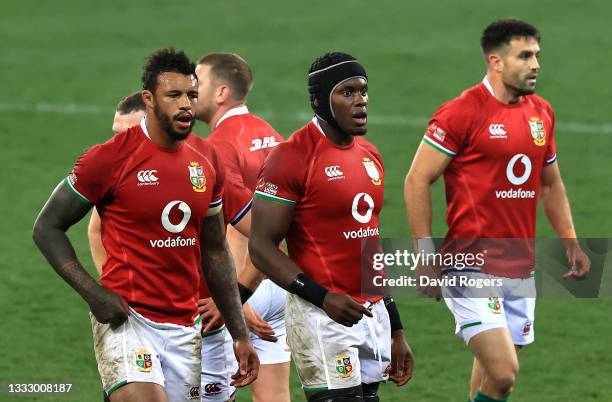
181	363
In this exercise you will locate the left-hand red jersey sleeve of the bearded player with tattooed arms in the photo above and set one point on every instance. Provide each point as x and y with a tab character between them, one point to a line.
91	177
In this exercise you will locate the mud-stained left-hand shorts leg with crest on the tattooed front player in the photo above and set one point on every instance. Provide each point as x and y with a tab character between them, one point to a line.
126	354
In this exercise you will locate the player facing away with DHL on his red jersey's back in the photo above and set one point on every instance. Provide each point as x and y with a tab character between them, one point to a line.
243	140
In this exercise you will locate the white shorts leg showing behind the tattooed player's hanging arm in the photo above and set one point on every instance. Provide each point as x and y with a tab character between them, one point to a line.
218	365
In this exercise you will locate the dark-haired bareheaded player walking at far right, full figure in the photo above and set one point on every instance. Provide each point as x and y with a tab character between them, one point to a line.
496	139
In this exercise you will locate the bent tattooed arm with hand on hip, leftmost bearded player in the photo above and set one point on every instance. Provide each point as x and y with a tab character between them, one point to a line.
62	210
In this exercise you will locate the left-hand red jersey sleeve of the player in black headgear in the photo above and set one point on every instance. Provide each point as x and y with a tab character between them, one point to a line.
281	176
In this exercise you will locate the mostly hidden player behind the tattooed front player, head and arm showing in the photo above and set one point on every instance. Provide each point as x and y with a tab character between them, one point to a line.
129	113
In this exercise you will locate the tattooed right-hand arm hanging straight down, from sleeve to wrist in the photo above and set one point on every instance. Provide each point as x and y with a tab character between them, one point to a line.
220	275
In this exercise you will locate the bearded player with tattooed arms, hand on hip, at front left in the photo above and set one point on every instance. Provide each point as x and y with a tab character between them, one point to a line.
144	313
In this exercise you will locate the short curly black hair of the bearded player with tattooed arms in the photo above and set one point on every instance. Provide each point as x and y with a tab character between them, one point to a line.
164	61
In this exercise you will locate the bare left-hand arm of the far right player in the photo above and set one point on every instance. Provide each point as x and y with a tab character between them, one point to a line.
427	166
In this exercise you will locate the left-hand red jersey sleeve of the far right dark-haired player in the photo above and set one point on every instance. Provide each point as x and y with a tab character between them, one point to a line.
448	128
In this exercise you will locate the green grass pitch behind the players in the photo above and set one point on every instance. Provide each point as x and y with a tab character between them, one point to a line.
66	63
